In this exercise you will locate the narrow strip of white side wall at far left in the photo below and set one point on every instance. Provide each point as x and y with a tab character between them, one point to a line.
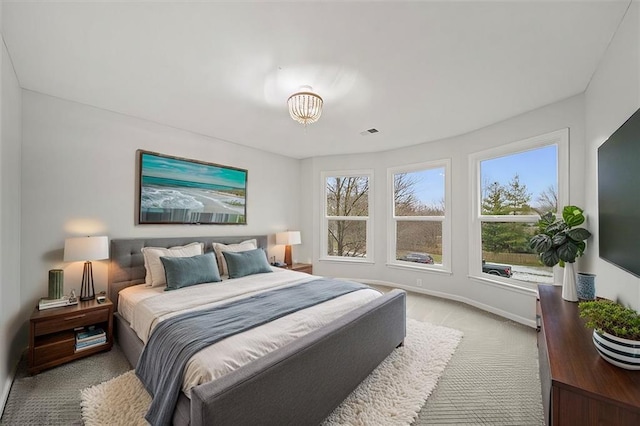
10	319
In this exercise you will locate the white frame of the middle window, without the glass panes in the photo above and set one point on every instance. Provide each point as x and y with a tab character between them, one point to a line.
392	230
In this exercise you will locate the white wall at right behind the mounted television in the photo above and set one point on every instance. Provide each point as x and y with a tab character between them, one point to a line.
612	97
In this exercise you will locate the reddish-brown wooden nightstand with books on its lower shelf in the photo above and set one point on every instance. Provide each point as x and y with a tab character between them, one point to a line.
52	333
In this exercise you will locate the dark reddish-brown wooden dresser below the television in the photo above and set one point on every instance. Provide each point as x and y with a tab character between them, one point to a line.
578	386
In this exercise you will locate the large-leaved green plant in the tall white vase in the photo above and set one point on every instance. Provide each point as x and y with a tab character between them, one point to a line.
558	240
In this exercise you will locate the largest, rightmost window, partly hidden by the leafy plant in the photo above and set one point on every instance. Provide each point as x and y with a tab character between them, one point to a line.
514	184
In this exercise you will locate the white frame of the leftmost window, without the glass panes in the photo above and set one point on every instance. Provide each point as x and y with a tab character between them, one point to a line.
324	221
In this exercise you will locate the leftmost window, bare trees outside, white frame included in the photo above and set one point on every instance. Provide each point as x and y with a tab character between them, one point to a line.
347	219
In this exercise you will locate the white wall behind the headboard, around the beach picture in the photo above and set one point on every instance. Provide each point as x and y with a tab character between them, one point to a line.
78	178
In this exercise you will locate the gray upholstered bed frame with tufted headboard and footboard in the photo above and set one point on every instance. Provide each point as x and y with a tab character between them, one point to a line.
299	384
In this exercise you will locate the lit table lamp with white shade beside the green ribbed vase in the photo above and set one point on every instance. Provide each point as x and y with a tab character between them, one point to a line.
86	249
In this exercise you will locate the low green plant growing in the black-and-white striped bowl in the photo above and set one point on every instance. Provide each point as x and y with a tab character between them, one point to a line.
611	317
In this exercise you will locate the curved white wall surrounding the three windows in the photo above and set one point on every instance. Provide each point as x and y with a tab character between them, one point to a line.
516	304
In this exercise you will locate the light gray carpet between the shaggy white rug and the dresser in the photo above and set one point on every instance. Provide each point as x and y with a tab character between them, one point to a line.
492	379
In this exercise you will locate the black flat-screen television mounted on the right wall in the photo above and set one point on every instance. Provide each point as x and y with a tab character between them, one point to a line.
619	196
